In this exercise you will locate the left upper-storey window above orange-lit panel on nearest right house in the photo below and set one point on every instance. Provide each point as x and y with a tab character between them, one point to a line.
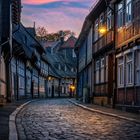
120	14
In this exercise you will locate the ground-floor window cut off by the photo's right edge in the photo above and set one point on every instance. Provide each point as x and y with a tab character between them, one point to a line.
138	67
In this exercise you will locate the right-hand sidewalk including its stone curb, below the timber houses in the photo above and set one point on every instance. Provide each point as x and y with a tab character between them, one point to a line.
108	111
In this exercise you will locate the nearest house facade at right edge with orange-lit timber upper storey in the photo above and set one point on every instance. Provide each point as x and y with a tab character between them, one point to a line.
128	52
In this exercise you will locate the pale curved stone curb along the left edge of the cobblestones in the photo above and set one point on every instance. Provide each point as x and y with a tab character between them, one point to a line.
12	121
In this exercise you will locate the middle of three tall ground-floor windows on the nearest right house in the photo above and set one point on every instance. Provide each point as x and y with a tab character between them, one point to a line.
129	68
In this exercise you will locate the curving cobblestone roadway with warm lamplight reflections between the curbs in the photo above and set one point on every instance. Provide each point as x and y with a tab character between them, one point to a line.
58	119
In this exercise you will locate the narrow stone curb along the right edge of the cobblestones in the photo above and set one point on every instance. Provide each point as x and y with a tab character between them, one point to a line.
104	113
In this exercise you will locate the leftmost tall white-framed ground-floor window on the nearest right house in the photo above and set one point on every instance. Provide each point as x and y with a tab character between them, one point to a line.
120	72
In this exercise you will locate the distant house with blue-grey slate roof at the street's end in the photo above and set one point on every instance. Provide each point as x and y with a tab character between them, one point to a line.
62	69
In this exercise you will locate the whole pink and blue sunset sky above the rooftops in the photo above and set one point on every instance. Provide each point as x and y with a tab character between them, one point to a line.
56	15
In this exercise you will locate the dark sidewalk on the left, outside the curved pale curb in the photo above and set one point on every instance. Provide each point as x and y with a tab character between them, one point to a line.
5	112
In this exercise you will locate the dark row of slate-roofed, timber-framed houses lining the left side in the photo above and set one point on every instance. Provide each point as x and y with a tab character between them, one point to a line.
24	69
